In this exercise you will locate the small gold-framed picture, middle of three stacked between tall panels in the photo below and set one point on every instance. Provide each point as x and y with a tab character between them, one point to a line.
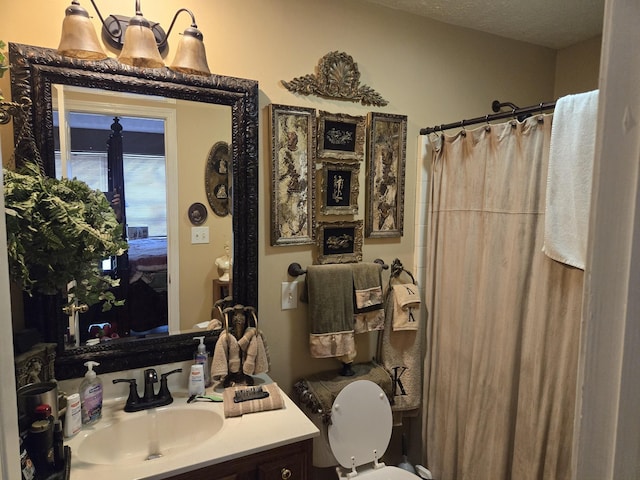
339	187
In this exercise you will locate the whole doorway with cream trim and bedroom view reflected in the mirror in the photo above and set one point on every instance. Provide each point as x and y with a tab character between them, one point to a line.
124	145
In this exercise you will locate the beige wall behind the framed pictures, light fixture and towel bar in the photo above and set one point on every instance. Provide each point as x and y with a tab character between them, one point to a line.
431	72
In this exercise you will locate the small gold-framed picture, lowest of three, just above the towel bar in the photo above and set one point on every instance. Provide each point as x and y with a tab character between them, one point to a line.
339	242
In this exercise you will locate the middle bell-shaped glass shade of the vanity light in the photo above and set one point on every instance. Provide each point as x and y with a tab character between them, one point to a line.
139	47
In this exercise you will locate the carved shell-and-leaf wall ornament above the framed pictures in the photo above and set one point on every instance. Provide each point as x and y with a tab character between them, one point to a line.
337	77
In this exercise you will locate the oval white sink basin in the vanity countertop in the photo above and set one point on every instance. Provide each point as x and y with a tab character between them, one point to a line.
138	437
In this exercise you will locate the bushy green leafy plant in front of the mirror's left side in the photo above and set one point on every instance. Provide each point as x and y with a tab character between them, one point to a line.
59	230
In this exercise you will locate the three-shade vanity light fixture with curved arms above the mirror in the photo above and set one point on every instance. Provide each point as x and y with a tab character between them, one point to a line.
141	42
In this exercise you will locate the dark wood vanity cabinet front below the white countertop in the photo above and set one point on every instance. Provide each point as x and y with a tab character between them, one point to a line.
282	463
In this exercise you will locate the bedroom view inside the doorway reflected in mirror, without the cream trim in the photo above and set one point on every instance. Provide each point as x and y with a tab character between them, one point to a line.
125	158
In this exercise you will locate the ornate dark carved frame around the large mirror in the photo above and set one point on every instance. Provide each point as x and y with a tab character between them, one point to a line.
35	69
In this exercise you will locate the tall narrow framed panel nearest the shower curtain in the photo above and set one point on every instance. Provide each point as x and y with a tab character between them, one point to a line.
386	157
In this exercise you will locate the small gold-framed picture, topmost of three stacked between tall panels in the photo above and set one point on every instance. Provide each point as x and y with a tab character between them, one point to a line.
341	136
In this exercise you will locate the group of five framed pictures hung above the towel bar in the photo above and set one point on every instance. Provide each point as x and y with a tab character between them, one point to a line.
335	145
